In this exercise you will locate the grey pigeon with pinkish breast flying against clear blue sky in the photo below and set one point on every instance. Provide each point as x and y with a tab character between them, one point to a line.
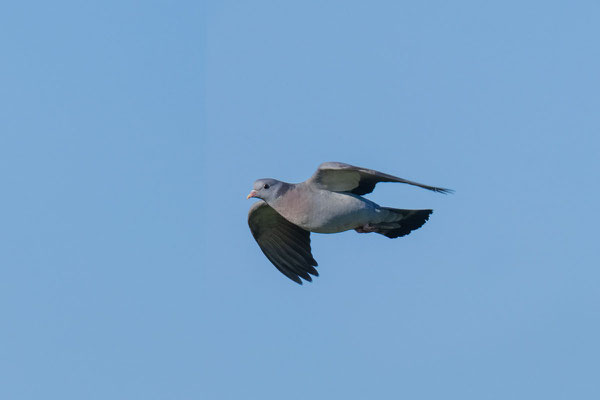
330	201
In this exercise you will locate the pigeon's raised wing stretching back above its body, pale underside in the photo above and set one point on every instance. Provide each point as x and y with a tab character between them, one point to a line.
340	177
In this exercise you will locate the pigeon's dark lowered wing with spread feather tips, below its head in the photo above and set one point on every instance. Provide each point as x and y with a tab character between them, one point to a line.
286	245
